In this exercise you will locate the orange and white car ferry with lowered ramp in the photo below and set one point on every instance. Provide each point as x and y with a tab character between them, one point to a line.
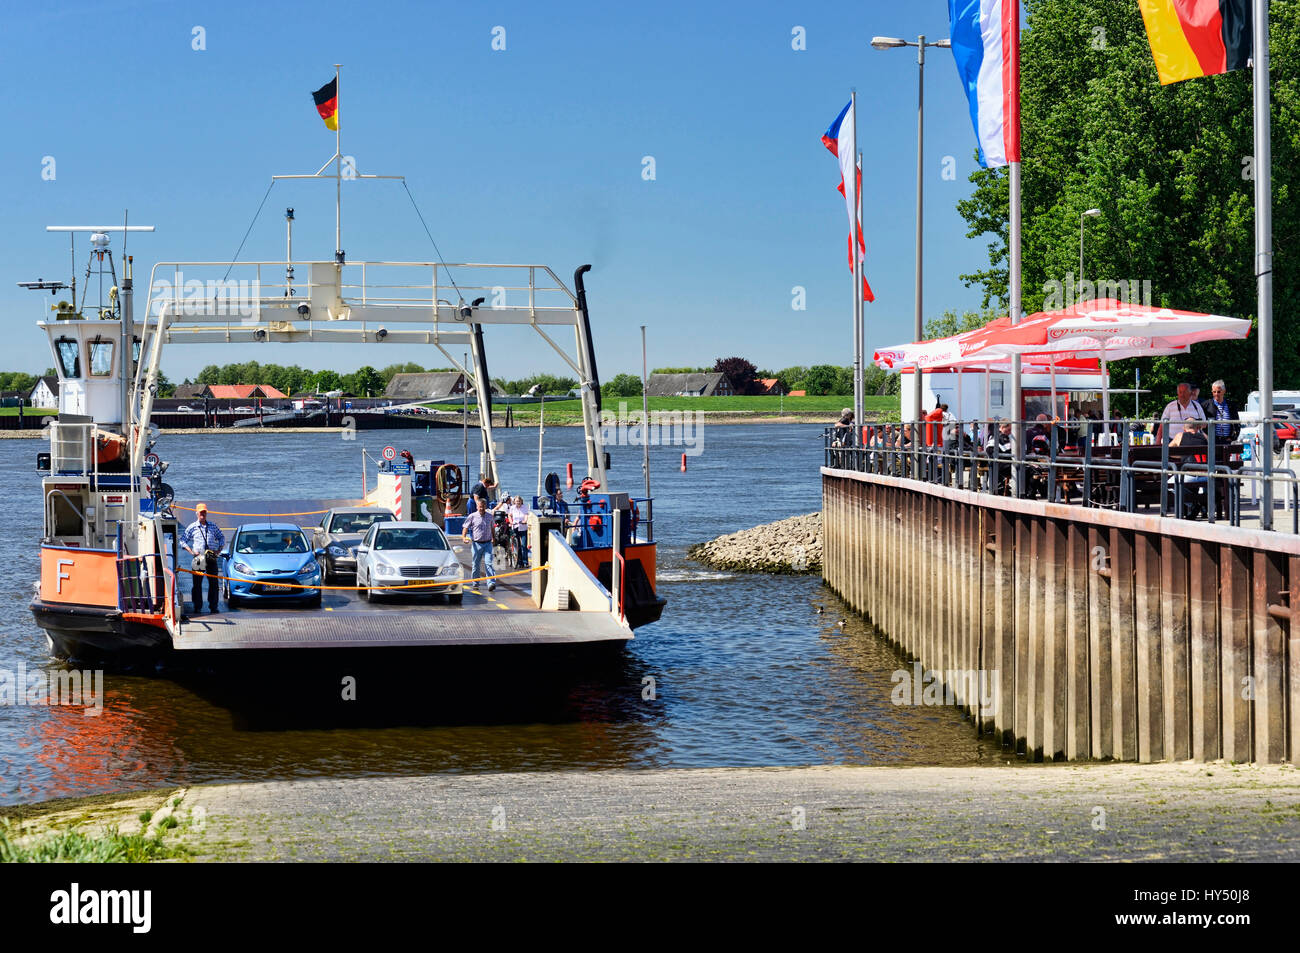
112	578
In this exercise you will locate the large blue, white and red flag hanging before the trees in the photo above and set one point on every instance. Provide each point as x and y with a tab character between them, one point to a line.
986	37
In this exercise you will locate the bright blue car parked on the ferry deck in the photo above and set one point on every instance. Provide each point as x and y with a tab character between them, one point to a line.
268	564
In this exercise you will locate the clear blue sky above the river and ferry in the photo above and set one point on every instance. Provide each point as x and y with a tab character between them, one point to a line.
532	154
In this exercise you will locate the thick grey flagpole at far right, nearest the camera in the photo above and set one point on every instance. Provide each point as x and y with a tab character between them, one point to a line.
1264	246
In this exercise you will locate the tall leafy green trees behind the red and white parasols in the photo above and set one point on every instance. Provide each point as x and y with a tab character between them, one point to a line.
1168	167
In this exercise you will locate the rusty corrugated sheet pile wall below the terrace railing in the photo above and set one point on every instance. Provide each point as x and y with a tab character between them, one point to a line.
1110	635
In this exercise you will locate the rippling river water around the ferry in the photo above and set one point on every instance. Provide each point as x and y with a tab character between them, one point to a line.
747	672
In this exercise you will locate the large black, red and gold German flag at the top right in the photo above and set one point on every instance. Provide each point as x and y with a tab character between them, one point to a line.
1198	38
